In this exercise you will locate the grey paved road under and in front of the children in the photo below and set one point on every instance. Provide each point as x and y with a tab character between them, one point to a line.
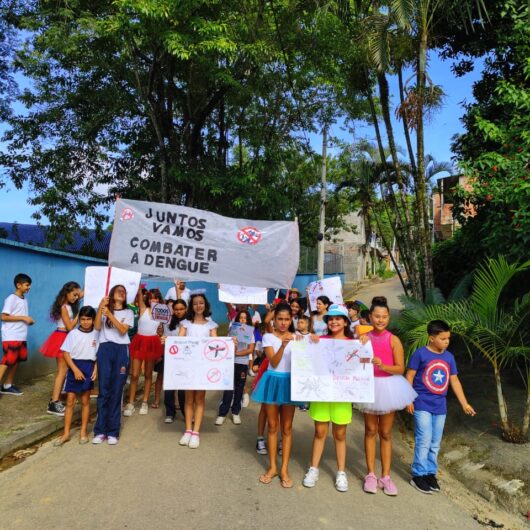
148	481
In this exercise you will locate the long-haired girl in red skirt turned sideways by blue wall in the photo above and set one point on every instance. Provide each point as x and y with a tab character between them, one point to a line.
64	312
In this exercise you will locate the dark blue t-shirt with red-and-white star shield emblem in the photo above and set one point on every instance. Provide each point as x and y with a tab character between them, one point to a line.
431	381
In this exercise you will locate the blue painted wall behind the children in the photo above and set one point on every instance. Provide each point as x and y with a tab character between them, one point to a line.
50	270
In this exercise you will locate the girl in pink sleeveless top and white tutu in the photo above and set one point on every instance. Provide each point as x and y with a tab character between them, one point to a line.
392	392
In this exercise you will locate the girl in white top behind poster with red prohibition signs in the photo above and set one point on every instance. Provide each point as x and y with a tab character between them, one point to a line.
196	324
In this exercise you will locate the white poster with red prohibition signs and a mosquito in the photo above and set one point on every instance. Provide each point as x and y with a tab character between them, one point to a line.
199	364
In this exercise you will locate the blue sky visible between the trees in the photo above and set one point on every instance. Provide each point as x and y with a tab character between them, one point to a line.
438	132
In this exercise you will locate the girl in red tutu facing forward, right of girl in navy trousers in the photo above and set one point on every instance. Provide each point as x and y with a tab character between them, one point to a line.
145	347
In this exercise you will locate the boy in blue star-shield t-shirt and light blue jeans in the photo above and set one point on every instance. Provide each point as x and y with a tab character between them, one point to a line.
431	370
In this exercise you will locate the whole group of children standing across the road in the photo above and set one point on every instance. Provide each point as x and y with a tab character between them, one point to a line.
90	344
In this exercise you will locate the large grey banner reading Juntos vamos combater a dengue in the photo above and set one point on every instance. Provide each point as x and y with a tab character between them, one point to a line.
176	241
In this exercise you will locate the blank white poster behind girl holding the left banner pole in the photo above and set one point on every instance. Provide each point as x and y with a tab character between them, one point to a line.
96	279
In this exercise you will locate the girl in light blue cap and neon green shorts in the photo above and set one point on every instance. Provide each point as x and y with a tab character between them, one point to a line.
339	414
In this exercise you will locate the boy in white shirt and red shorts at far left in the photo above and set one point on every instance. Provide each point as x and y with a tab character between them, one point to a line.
15	322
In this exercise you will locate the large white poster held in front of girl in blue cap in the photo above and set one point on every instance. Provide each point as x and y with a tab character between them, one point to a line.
332	370
